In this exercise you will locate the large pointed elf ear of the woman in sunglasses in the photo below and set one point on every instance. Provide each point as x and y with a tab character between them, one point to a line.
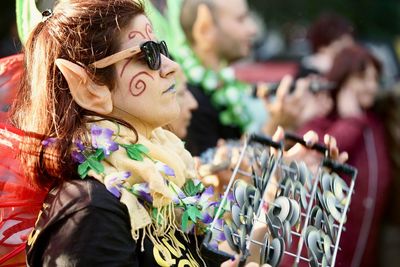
84	90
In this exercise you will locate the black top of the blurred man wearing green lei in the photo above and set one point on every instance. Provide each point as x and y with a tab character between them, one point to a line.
205	127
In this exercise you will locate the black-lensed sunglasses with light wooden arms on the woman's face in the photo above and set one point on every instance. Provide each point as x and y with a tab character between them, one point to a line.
150	50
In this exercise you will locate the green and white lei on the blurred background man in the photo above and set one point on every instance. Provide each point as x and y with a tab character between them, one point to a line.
227	94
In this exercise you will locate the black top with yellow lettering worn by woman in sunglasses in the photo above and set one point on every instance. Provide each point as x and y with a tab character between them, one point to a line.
82	224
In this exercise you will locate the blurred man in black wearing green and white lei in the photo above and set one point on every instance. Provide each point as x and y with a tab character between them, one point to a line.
226	107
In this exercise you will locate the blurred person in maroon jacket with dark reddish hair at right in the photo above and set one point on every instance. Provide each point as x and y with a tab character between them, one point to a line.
359	130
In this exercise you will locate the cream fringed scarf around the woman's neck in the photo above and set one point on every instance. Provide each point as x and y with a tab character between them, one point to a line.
163	146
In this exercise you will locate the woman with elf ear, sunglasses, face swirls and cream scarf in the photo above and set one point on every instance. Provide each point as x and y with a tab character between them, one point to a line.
97	87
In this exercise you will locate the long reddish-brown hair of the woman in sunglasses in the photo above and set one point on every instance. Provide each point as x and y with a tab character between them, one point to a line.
81	31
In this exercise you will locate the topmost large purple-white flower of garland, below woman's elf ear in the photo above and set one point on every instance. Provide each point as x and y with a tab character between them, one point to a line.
102	138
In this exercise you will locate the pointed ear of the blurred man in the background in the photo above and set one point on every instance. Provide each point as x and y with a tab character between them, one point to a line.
203	28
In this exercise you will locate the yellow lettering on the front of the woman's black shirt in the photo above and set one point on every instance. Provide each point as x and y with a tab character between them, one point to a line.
175	250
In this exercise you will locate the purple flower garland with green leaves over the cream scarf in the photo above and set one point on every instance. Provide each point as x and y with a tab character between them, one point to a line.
193	198
